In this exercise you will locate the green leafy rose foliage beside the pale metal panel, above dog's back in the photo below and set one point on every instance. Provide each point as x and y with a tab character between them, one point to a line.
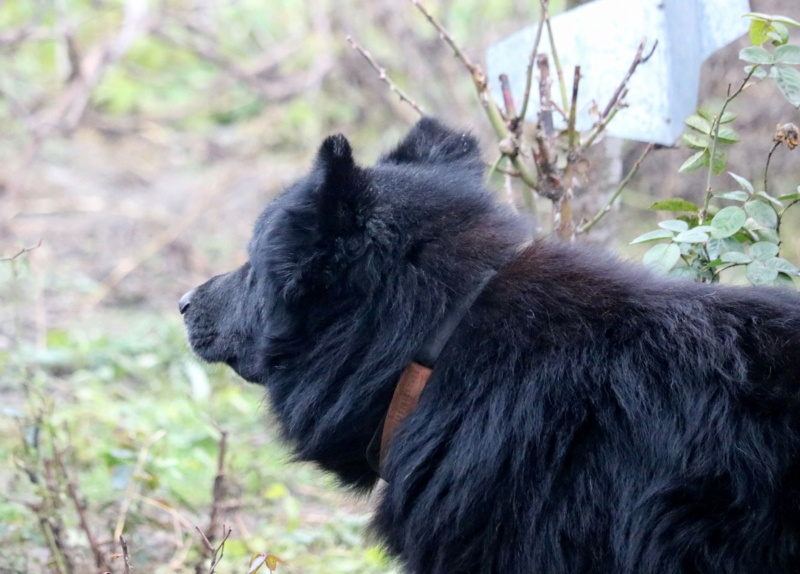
741	228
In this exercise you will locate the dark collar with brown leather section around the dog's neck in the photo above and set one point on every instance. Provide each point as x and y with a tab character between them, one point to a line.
414	377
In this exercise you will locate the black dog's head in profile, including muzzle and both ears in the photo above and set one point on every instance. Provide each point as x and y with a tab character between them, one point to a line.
340	238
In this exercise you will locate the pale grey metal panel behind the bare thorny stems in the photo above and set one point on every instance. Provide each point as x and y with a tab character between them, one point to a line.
602	37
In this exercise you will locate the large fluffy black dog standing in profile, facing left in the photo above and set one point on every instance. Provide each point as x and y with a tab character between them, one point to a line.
584	416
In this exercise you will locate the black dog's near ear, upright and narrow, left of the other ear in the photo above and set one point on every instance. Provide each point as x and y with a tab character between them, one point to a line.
345	198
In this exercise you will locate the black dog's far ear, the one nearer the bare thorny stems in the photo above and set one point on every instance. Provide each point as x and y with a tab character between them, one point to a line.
430	141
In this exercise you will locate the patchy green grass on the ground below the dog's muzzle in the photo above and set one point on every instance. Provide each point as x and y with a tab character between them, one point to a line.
137	422
